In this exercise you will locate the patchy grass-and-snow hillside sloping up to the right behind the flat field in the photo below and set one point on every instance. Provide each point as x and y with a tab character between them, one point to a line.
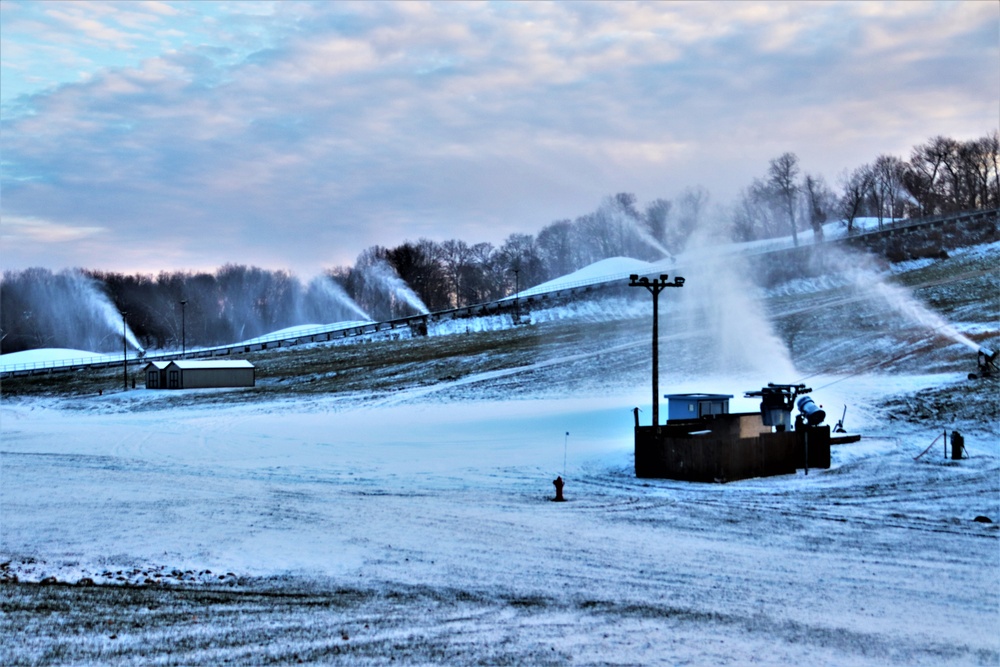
859	317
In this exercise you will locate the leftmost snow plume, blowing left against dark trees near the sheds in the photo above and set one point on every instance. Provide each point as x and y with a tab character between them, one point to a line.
65	309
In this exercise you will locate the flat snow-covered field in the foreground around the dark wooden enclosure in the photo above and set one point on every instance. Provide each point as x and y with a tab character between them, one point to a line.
434	520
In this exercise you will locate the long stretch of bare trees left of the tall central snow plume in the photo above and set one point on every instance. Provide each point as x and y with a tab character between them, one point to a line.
238	302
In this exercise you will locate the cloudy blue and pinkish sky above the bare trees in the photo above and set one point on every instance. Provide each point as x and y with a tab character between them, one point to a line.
148	136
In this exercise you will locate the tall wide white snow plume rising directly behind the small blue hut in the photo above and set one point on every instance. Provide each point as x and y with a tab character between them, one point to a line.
721	310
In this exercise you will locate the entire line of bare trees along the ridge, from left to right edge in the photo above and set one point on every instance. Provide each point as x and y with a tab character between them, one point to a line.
238	302
